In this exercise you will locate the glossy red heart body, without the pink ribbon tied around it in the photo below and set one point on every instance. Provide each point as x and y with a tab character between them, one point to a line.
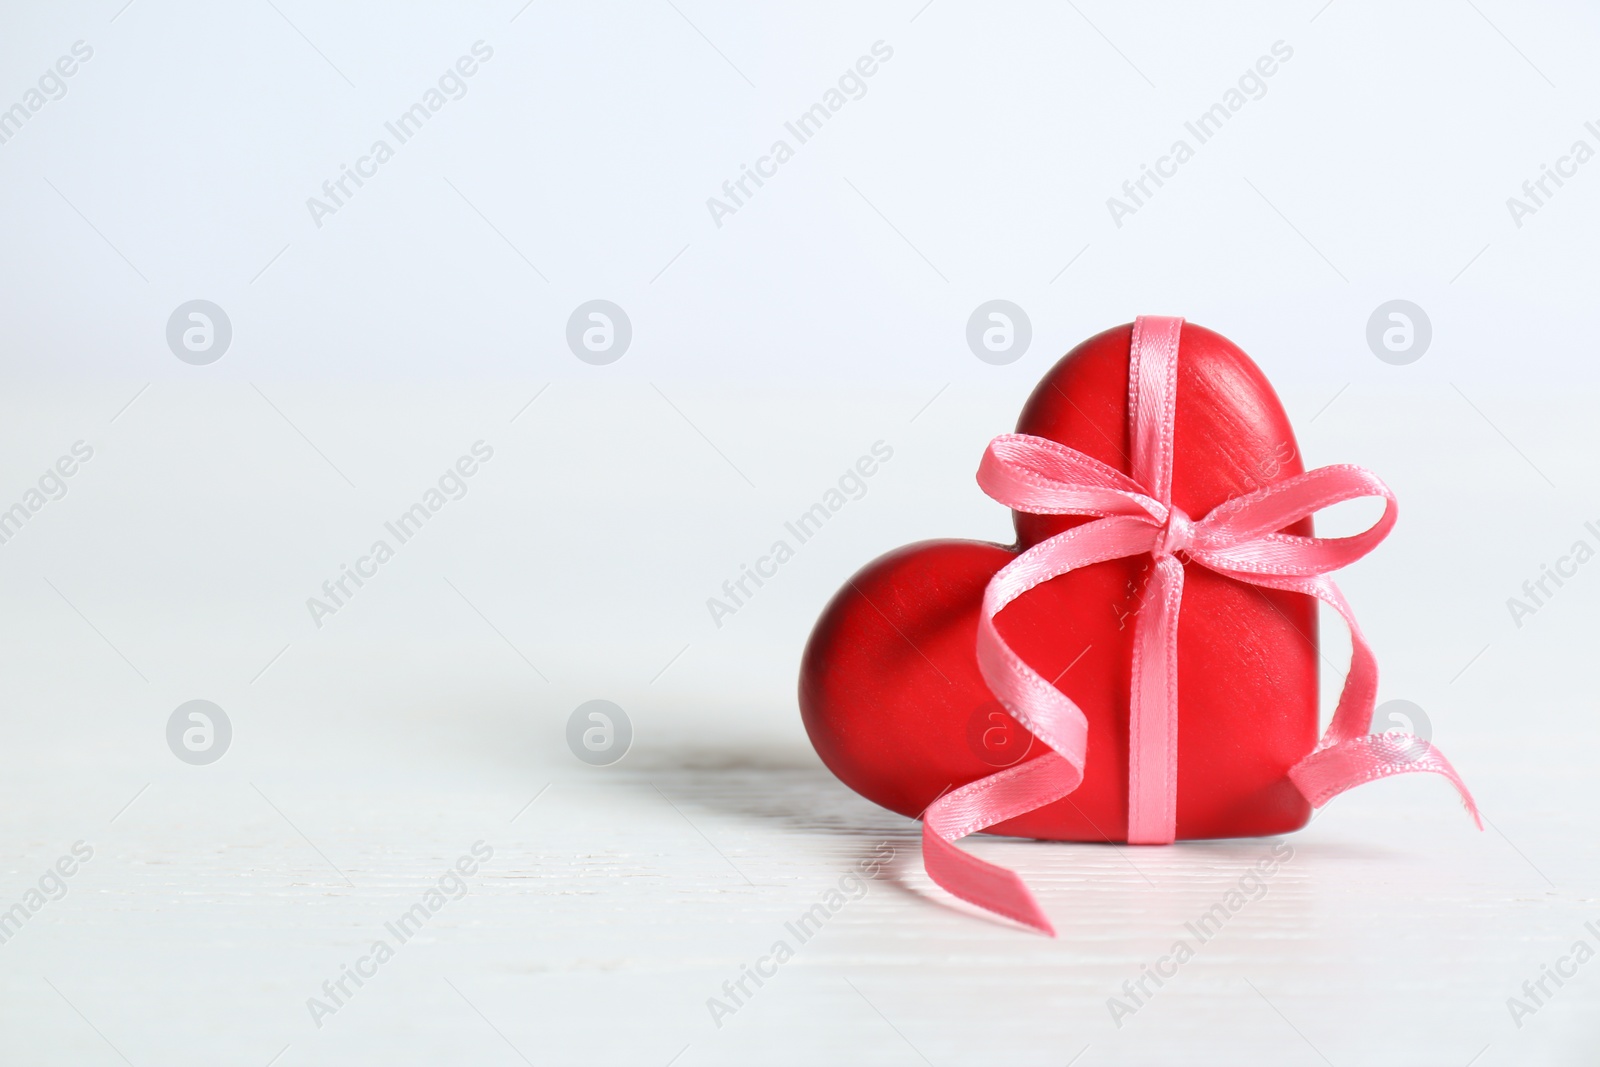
890	689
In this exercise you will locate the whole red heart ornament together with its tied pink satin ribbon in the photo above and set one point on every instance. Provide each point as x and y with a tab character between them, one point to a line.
1164	561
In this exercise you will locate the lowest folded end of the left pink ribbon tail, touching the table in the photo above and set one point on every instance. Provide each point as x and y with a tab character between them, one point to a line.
977	807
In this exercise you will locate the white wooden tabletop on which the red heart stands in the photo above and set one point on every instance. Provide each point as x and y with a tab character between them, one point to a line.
372	754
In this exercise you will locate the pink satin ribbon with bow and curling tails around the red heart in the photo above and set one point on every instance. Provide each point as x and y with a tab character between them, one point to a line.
1135	516
